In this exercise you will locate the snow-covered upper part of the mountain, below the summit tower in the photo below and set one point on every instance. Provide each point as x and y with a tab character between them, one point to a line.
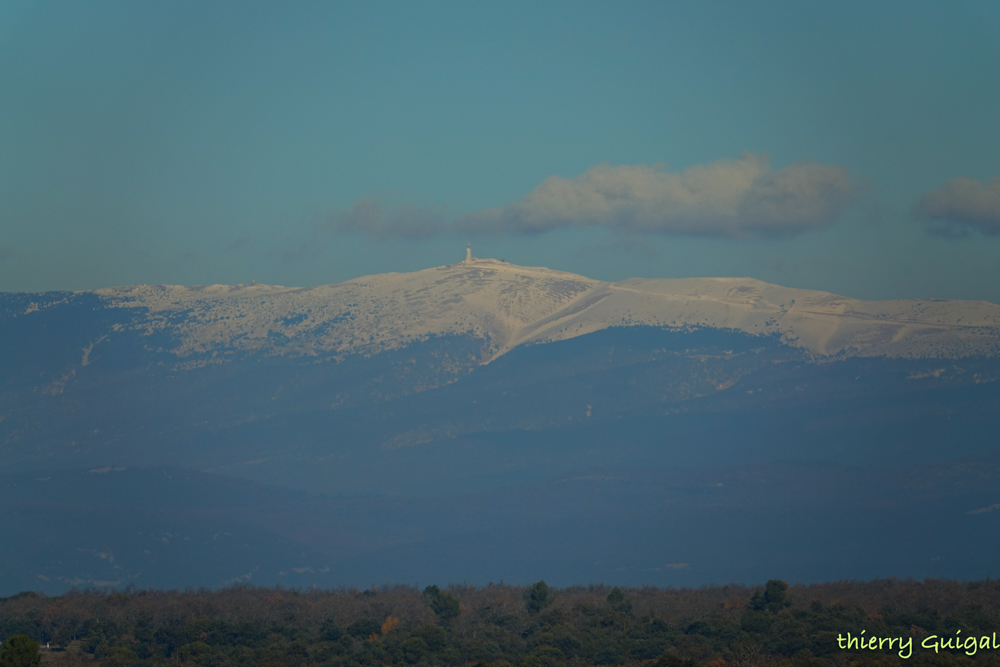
504	305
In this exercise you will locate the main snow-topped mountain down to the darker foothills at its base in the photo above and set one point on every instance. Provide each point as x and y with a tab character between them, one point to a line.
328	388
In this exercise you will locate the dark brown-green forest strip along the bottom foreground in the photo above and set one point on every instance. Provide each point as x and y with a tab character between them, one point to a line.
775	624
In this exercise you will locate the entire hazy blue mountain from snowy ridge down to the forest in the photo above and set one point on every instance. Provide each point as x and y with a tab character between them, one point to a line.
433	411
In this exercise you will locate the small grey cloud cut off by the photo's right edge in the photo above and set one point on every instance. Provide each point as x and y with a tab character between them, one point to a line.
961	205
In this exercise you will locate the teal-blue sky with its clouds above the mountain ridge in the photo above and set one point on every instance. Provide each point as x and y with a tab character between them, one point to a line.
851	147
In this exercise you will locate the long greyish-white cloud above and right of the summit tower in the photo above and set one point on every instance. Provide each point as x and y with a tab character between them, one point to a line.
727	198
